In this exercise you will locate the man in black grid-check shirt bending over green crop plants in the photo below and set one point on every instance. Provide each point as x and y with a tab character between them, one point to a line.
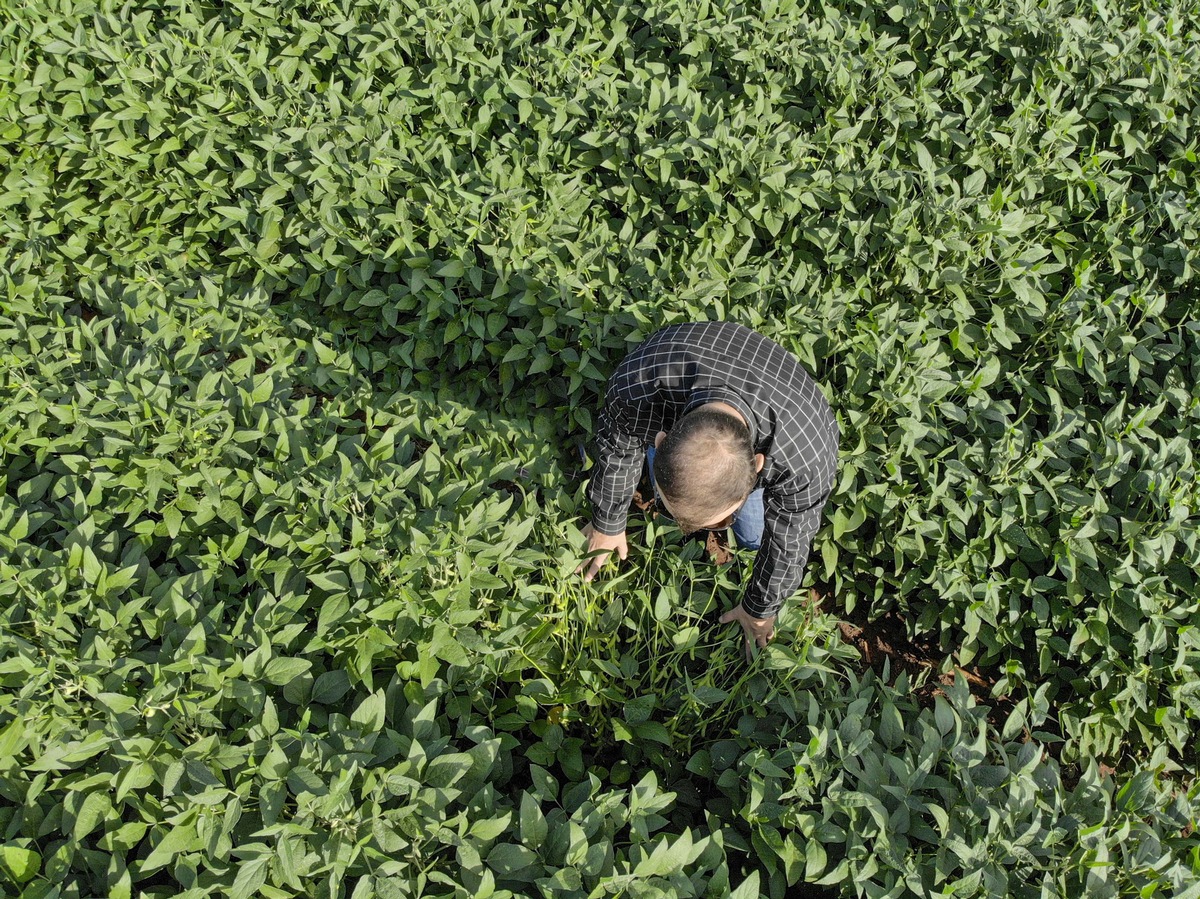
737	433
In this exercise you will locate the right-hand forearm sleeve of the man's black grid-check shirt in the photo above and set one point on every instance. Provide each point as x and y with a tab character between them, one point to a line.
791	522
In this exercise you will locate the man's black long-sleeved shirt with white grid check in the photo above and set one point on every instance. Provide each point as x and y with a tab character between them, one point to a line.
685	367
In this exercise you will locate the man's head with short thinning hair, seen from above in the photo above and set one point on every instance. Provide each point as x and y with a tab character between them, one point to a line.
704	466
